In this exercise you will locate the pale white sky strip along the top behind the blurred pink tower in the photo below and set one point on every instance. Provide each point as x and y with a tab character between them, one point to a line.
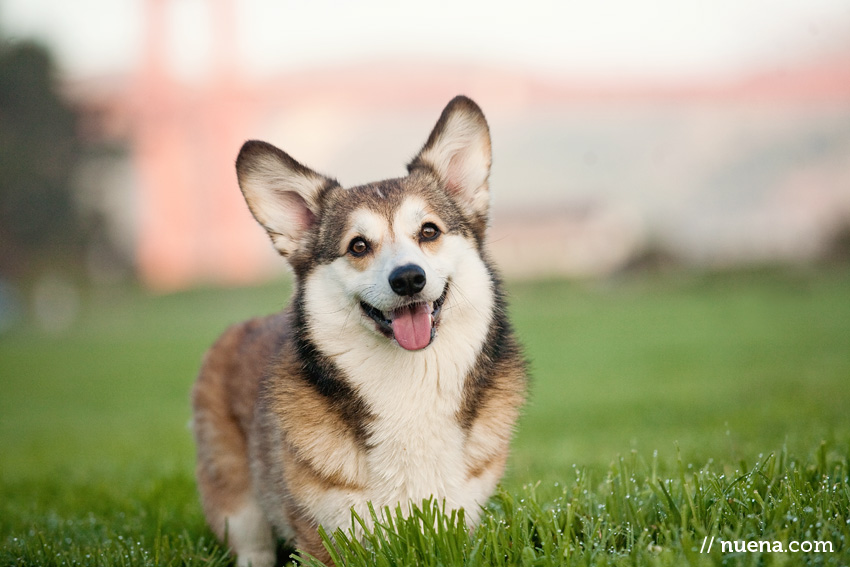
588	38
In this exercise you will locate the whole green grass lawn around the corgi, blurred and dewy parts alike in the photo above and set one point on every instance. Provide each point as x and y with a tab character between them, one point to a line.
664	410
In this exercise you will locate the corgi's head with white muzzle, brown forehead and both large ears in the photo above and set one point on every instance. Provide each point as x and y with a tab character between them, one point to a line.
393	258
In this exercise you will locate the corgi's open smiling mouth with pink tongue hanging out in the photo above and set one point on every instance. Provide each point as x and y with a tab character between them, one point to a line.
413	326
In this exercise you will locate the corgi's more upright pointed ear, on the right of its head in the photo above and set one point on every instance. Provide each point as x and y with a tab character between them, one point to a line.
458	152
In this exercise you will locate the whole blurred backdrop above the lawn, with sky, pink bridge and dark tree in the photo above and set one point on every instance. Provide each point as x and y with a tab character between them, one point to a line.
625	134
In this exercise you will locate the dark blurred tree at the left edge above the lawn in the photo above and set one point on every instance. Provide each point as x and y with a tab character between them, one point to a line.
39	150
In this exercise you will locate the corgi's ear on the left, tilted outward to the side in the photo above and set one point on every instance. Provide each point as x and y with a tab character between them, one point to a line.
283	195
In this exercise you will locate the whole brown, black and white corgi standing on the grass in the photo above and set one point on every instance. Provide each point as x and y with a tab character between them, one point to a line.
392	377
